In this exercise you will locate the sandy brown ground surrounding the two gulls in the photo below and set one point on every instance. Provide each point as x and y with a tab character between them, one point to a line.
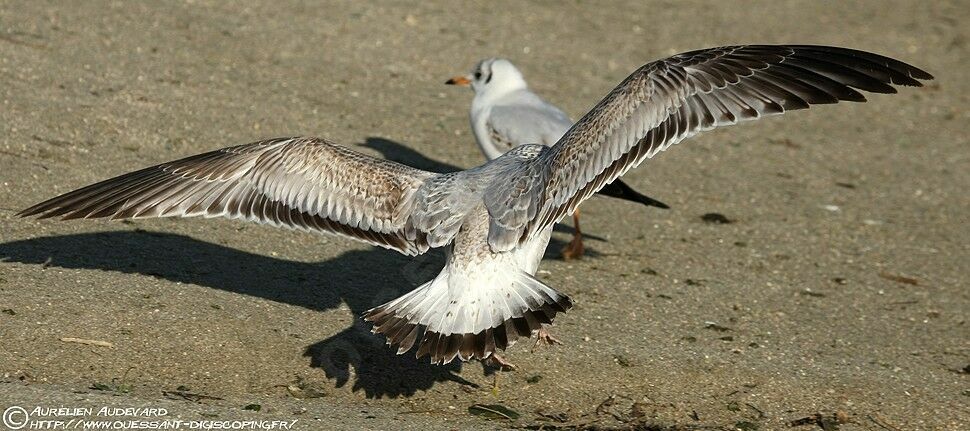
840	288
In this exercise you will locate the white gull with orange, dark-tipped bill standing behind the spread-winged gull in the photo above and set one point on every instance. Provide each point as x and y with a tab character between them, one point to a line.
506	114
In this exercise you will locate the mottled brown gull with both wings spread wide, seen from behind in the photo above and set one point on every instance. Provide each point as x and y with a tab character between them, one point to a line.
495	220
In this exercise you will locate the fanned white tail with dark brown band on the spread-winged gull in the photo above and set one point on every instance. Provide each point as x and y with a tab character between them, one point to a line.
467	321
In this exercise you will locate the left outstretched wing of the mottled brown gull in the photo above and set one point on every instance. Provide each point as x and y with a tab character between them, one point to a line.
302	183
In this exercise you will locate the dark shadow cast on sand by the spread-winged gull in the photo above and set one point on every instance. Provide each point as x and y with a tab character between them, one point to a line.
352	278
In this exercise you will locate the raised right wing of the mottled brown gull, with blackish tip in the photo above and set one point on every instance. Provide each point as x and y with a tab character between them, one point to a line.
669	100
